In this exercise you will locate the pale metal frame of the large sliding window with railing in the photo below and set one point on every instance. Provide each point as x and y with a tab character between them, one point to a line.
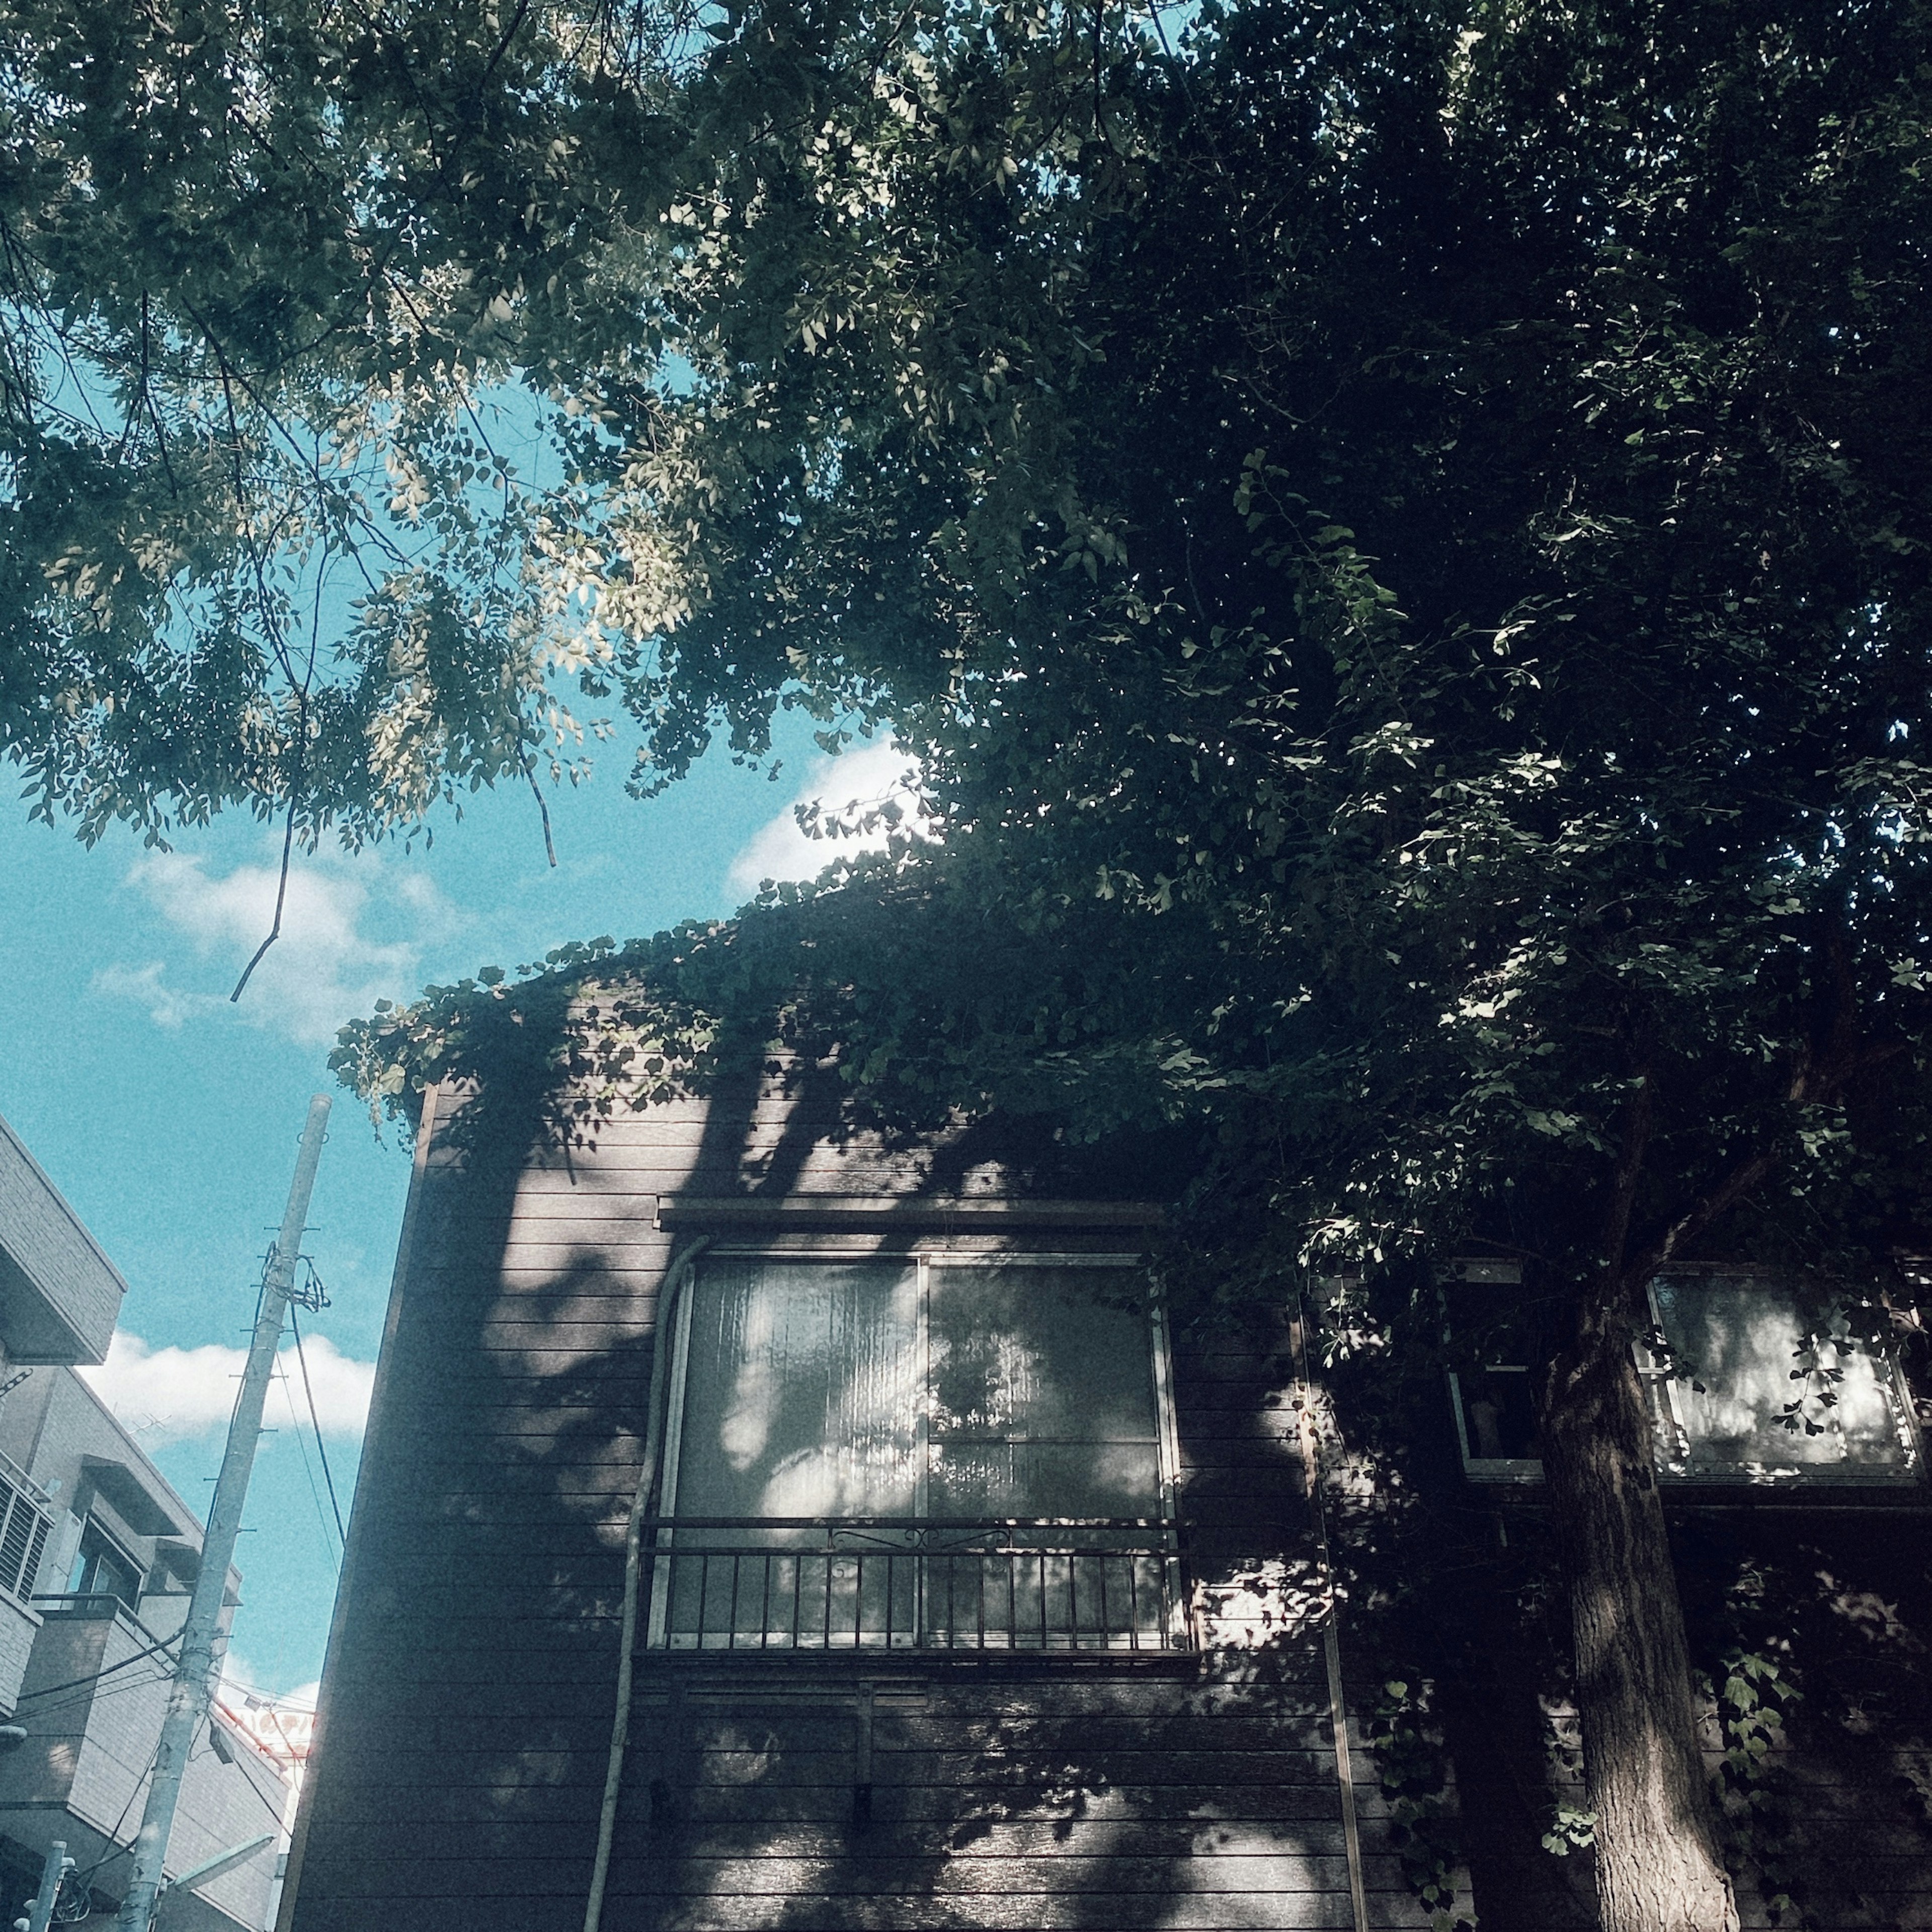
926	1255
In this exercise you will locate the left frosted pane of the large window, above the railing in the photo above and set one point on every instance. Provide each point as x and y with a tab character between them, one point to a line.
803	1392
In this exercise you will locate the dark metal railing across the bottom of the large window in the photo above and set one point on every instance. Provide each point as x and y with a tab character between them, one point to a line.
897	1583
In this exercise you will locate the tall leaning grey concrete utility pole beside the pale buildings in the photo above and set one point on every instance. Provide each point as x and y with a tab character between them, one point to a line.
188	1695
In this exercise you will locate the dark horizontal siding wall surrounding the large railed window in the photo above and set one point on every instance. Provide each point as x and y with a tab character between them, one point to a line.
467	1707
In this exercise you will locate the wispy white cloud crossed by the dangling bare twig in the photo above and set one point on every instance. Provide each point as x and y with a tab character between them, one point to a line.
326	969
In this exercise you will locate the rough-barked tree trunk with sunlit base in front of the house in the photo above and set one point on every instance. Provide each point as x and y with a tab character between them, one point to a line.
1659	1867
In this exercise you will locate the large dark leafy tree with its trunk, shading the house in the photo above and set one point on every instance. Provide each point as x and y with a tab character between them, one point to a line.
1398	540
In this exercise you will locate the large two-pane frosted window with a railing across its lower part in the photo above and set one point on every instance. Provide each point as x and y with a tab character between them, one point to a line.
932	1450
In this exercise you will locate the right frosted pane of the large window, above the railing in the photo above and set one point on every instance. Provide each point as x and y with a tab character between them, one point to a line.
1042	1398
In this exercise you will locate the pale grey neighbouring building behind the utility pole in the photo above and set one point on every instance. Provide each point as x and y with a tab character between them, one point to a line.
98	1558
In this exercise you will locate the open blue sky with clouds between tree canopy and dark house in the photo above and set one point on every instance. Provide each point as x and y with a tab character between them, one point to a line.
169	1118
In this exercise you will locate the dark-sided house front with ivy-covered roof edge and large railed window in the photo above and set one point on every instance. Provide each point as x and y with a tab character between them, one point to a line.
963	1589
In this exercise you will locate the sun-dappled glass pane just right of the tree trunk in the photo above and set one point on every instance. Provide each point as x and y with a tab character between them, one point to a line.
1744	1338
